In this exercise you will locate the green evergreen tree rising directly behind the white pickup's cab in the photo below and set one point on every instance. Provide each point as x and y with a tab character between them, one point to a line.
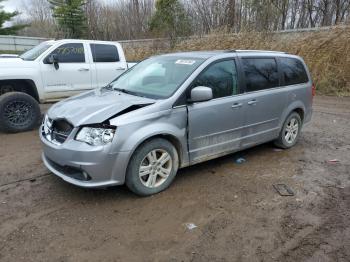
70	16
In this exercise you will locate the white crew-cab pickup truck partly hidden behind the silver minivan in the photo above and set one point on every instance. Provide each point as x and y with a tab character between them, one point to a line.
51	71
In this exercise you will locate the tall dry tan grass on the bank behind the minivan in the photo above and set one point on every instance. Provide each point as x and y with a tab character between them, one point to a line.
327	53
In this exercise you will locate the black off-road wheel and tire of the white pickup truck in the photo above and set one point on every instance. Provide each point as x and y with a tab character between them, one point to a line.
18	112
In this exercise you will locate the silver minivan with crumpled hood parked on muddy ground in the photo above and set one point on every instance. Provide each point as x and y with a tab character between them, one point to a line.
176	110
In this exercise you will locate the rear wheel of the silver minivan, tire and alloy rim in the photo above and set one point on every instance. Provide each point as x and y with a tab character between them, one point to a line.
292	121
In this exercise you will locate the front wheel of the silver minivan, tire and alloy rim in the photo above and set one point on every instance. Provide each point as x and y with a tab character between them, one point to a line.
154	177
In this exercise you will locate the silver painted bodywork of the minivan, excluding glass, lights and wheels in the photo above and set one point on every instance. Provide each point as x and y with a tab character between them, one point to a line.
200	131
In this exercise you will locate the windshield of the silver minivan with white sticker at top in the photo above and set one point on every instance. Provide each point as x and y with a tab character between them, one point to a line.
157	77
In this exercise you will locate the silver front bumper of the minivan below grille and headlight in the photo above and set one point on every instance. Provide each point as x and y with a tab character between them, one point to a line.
84	165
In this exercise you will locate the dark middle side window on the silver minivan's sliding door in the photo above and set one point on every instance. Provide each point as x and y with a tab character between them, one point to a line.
260	73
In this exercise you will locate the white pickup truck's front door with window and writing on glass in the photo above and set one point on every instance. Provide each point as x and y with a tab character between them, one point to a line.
74	72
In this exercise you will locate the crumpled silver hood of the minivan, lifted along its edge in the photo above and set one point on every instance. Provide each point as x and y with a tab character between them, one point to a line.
94	106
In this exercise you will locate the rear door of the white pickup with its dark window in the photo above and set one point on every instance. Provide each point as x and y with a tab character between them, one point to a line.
108	62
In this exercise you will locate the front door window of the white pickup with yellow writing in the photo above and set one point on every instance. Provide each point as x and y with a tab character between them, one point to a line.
70	53
